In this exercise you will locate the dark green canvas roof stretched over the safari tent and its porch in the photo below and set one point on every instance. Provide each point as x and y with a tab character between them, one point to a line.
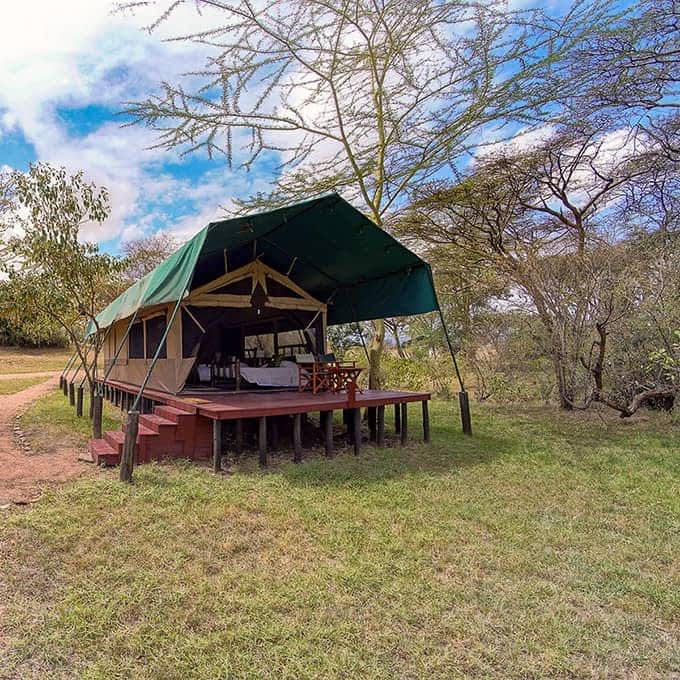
332	251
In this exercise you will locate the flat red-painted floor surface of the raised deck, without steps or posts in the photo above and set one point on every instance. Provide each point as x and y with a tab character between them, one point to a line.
235	405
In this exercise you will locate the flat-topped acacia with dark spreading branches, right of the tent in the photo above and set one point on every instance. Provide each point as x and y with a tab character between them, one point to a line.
539	220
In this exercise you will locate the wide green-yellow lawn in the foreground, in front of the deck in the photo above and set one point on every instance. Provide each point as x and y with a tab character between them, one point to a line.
543	547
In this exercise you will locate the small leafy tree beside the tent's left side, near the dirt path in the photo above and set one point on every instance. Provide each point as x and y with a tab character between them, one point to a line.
54	275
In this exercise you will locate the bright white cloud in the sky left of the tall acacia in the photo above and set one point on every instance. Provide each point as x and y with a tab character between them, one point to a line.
76	53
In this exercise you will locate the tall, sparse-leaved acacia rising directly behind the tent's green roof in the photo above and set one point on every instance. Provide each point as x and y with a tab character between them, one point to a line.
361	96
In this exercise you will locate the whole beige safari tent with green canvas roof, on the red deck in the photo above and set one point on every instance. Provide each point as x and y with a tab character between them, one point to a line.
243	294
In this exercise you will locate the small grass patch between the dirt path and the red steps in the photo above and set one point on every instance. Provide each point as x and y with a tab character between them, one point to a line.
50	422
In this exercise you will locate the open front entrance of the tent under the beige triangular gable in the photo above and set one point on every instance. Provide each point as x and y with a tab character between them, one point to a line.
244	322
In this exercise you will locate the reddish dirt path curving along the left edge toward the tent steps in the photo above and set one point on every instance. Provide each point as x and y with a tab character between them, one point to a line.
22	475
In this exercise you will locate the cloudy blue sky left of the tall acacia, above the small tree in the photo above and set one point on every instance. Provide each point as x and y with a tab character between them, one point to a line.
66	69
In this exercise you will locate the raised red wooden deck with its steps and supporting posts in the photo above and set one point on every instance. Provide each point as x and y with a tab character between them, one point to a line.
190	425
